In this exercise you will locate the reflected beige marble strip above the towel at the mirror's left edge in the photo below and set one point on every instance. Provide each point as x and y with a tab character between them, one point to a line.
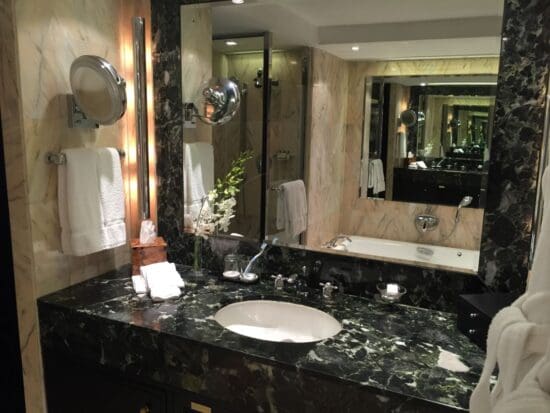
196	61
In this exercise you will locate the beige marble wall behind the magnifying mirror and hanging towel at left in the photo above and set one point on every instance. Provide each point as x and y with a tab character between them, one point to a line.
39	40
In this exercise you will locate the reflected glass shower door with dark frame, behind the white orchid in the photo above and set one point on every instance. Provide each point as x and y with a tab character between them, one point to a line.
247	130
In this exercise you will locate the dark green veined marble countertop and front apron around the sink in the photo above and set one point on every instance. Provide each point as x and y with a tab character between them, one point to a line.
388	353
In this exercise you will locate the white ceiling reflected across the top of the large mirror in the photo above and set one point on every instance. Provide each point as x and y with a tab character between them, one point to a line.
382	30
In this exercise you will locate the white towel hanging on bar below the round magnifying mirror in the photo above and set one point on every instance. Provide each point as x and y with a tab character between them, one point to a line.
91	201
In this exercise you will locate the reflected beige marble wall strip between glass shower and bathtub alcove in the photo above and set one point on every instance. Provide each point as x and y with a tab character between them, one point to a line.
326	161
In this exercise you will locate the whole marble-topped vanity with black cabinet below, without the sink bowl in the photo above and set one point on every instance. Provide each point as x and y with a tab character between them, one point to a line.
101	342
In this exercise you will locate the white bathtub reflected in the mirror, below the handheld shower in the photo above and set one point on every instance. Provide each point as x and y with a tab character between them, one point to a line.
432	256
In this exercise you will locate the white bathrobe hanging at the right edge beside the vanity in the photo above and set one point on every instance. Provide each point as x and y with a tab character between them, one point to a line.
519	341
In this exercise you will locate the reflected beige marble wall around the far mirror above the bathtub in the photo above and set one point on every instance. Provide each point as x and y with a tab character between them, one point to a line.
395	220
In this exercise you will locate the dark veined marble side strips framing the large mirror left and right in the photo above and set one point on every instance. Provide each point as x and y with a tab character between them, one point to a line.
520	108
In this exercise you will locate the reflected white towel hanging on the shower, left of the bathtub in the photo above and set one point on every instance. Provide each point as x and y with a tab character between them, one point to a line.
292	208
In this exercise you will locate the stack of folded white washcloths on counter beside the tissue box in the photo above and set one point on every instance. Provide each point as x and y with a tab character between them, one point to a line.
160	280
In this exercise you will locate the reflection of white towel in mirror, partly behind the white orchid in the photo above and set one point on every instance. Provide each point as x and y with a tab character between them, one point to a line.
198	178
